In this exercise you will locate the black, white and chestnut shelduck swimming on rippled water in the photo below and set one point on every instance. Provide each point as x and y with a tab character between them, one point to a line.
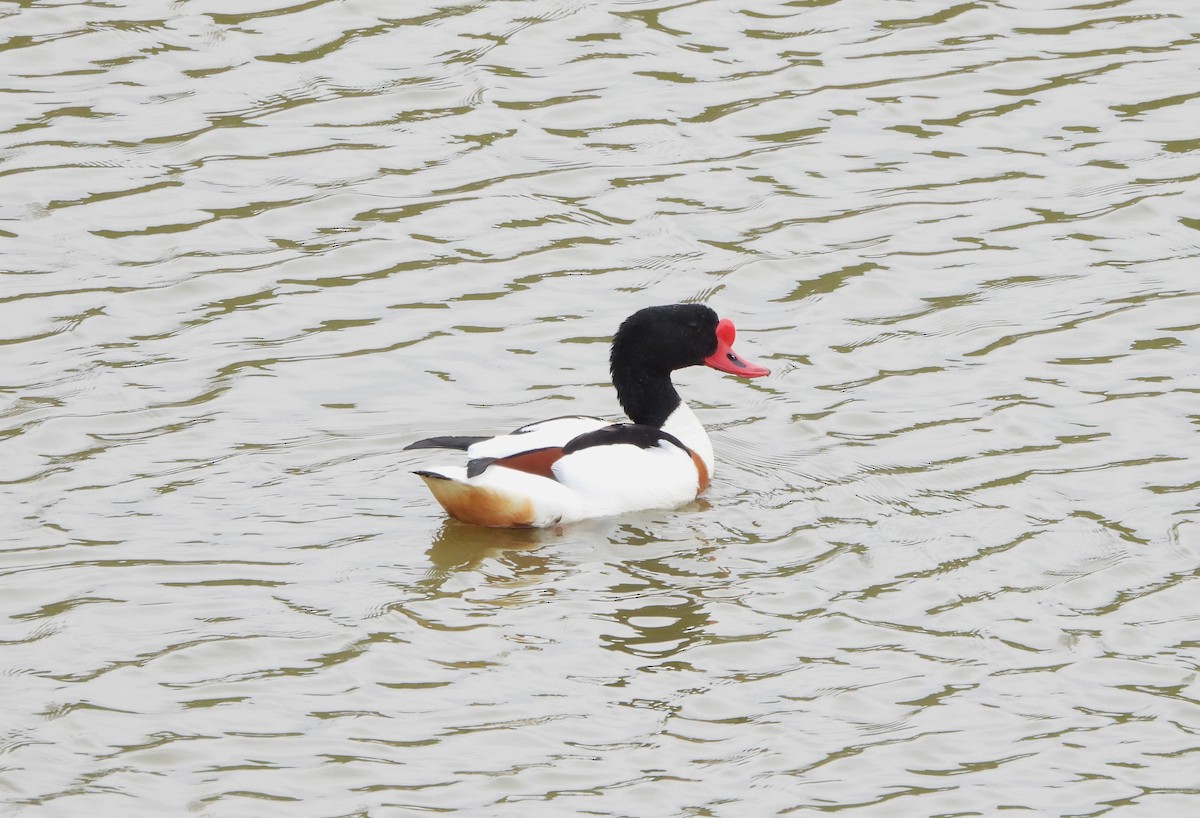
579	467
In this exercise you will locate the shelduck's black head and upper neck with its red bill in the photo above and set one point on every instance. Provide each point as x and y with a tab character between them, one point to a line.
655	342
